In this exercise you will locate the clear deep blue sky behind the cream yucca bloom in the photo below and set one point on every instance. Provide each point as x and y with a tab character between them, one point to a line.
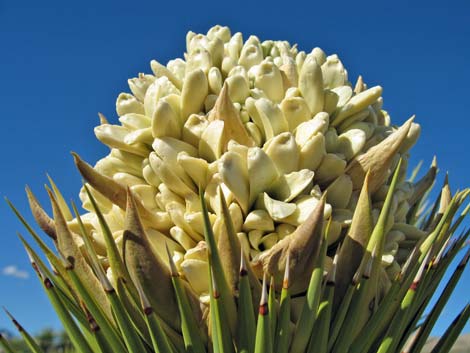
62	62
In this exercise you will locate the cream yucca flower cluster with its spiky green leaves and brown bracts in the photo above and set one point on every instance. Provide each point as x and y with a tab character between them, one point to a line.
251	162
